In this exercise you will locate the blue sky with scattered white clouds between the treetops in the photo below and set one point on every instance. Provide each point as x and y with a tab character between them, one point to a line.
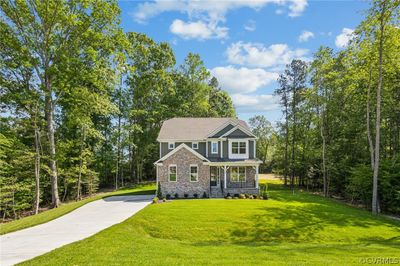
245	44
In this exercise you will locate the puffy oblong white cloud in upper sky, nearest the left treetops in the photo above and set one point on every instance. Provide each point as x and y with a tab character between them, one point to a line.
197	30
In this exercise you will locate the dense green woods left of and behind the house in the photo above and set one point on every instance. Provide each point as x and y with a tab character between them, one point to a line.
82	102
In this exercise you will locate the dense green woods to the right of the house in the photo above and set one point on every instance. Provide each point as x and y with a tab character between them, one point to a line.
341	128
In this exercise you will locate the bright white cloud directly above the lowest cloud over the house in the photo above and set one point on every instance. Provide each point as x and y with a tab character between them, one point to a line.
242	80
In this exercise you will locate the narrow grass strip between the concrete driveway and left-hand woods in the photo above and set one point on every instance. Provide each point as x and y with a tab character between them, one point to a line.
68	207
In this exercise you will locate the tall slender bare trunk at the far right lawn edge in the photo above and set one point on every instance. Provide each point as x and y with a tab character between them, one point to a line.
375	203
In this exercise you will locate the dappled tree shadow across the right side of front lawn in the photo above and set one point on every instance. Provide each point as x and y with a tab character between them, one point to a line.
314	220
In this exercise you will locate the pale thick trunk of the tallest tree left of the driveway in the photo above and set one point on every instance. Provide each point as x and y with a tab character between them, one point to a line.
49	113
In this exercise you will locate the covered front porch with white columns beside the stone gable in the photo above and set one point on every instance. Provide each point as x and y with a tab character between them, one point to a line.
233	179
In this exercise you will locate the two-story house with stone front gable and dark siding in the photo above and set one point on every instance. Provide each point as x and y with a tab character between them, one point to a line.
212	155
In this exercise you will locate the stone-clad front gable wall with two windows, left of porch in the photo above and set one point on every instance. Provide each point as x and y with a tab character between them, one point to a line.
183	159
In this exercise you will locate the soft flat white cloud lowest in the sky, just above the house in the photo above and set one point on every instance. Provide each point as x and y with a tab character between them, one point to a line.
255	103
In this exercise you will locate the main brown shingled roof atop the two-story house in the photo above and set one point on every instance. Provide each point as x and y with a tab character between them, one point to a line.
195	128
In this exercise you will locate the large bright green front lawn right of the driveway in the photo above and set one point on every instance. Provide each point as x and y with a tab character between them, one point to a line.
300	229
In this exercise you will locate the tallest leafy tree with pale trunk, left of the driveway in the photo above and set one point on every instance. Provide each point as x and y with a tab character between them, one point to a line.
57	36
